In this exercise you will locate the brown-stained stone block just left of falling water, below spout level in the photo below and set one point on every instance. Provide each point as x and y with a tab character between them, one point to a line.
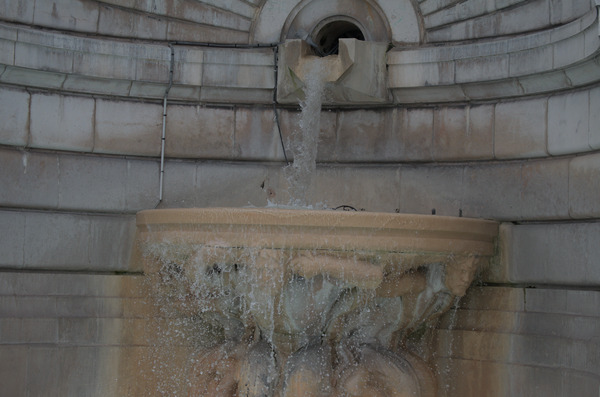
257	135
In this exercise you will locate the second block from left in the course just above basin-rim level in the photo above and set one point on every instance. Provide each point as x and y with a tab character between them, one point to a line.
92	183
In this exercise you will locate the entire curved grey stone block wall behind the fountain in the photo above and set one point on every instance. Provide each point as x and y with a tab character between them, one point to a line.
504	128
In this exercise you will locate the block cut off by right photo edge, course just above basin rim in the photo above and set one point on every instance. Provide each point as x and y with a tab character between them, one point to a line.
584	186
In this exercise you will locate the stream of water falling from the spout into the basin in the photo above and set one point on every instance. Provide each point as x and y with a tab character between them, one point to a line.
305	140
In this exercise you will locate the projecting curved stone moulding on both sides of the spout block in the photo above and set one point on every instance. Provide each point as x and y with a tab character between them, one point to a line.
555	59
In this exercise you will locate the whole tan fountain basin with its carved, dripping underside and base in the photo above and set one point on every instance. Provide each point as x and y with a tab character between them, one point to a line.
310	302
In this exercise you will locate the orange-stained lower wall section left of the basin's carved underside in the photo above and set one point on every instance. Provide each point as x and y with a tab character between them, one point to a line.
61	332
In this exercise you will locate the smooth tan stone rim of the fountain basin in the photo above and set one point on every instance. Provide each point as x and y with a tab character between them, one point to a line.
374	237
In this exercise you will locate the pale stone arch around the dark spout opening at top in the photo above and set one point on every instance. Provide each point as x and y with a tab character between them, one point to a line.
385	20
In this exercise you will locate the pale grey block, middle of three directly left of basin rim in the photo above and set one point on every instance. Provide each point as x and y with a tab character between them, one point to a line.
56	241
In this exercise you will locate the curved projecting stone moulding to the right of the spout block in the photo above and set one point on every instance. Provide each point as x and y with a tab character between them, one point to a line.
560	58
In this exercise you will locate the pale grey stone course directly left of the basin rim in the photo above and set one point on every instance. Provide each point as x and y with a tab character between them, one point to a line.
40	240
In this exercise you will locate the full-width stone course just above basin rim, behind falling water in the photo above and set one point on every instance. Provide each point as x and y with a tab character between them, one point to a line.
522	190
